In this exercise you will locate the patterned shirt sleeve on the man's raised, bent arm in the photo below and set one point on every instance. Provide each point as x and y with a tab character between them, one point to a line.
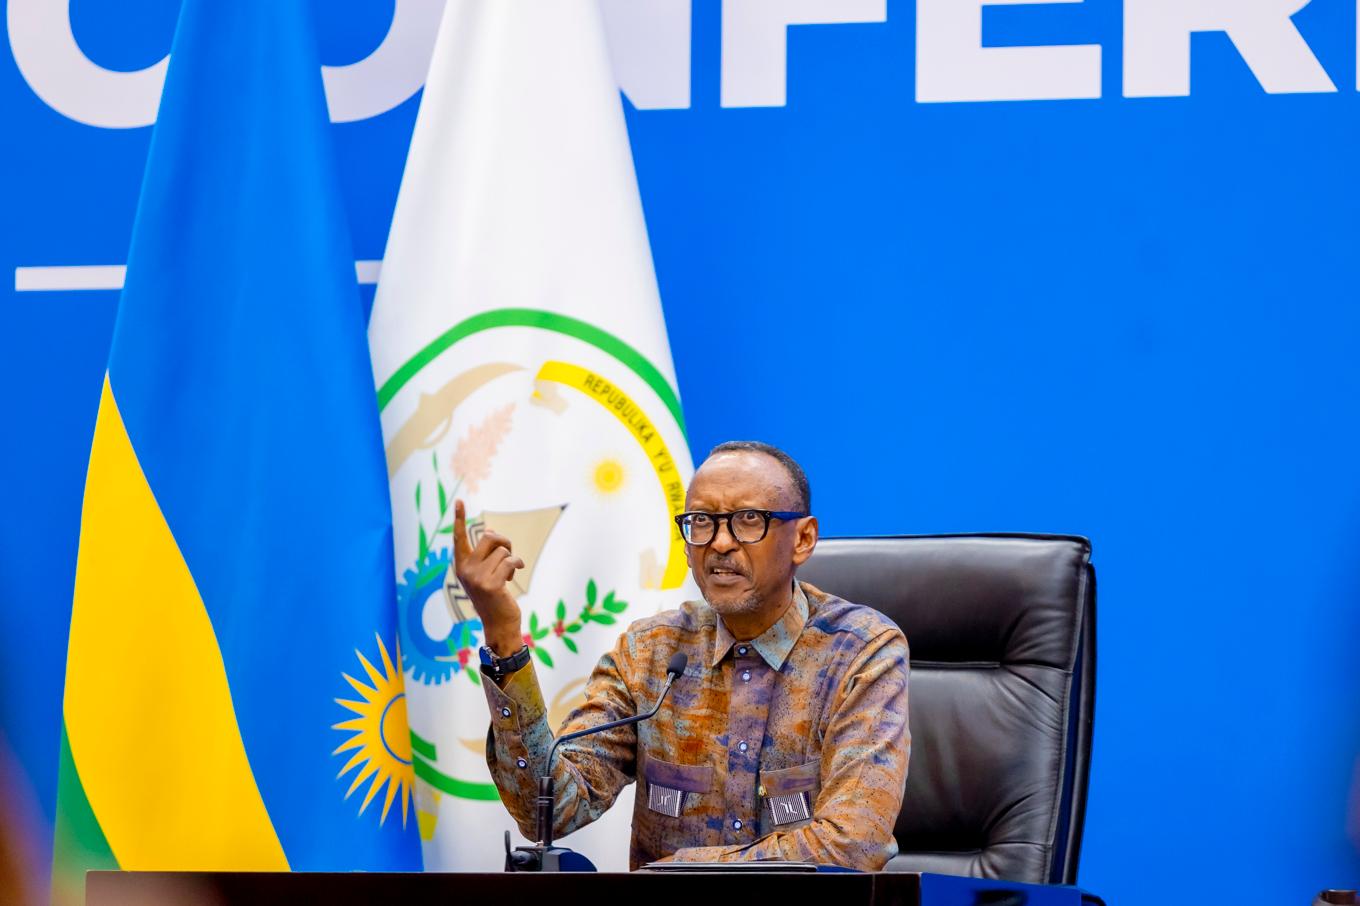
588	773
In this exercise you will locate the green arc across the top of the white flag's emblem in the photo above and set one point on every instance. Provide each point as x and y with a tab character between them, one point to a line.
550	322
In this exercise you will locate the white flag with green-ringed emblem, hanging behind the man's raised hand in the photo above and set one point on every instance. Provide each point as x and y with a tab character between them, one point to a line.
523	365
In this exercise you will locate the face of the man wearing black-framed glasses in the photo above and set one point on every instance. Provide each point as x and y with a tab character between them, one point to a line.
746	579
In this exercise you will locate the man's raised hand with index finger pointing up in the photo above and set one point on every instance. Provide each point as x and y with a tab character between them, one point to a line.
485	571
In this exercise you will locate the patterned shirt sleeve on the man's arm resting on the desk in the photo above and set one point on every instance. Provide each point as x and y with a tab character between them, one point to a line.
864	769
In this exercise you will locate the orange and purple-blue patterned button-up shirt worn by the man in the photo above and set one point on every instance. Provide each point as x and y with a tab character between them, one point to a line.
809	718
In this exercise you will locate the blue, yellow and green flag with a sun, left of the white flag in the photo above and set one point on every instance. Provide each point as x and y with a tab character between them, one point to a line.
235	697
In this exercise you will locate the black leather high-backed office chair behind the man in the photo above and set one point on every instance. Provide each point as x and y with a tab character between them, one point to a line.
1003	692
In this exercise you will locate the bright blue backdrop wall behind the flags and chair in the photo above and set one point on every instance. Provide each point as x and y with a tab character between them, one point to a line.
1128	318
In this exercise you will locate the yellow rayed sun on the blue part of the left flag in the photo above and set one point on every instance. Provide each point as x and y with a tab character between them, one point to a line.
379	735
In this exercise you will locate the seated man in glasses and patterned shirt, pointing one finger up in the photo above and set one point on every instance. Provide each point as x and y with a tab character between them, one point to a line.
787	737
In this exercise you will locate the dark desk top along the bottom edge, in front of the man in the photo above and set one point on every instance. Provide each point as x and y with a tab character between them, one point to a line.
644	889
